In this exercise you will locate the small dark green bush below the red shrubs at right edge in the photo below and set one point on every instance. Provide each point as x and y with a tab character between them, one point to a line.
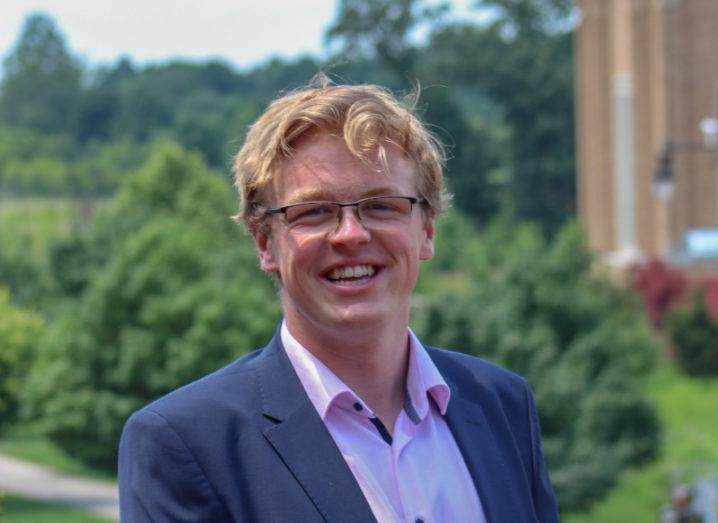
694	334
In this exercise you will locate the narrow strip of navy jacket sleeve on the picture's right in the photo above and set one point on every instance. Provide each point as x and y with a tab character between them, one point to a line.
543	497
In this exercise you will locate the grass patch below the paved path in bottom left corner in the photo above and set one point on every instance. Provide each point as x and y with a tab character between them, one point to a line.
14	509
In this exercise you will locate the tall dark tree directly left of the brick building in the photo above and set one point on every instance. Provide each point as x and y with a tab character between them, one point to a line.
522	60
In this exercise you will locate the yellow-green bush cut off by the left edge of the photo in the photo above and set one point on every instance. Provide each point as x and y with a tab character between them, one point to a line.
20	331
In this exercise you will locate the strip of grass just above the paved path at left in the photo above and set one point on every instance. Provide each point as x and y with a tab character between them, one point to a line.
23	445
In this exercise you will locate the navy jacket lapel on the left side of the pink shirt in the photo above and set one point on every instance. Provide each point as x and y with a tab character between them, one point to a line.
299	436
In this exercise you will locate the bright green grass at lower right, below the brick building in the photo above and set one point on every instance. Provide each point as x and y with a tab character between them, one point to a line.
687	408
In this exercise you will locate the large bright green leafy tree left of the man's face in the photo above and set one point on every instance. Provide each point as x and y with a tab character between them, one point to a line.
172	293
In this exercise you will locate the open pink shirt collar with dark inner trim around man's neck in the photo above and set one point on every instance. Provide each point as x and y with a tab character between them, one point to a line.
325	389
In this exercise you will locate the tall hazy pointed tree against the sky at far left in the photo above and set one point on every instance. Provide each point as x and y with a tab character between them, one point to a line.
41	83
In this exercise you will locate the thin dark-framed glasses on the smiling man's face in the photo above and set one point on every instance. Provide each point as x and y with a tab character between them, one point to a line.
373	212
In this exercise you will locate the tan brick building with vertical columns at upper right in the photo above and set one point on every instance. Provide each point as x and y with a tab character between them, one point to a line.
647	76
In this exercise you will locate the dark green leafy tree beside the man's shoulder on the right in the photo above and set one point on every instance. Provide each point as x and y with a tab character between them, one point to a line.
581	342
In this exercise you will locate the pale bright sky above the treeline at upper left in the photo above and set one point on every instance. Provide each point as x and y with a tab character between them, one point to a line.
242	32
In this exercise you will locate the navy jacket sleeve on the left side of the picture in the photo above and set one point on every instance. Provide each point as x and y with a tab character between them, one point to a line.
159	478
